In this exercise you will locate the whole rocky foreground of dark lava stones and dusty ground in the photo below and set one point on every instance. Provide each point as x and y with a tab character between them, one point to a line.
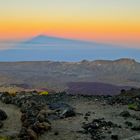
30	116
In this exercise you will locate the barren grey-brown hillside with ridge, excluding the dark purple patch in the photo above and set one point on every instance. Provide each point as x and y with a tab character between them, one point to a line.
57	75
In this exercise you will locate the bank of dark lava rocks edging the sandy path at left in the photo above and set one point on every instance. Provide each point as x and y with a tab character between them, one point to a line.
34	119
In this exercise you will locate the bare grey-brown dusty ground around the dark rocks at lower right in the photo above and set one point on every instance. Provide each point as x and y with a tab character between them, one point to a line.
69	128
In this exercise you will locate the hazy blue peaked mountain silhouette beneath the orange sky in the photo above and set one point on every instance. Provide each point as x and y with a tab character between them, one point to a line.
40	48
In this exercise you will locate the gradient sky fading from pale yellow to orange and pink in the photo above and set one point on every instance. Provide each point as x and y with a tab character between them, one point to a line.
112	21
